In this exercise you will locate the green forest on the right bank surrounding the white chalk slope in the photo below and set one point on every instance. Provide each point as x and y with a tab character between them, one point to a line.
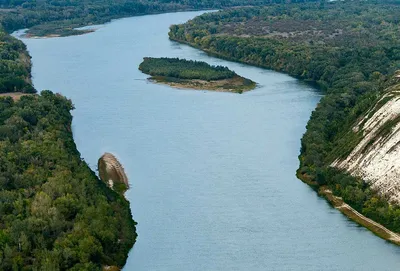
349	49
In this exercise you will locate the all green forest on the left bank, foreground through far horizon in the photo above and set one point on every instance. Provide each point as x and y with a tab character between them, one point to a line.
55	213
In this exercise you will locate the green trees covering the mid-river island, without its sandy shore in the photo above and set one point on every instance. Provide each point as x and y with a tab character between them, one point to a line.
184	69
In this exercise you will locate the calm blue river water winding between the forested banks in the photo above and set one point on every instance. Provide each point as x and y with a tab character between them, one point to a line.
212	175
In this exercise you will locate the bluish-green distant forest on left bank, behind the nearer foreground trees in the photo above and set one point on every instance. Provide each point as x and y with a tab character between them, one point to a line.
61	17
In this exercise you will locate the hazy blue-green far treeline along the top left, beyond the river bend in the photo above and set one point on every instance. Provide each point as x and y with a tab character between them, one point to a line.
62	16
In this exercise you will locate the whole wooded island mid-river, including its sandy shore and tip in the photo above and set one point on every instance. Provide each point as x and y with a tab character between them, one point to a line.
182	73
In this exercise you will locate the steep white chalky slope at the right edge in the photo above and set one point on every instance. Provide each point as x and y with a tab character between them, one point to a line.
376	158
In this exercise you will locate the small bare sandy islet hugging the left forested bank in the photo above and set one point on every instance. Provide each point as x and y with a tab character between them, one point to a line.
111	171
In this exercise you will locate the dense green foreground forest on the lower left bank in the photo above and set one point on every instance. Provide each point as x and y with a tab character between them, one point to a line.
55	214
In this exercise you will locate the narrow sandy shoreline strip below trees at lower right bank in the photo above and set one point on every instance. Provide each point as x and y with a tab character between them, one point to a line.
373	226
